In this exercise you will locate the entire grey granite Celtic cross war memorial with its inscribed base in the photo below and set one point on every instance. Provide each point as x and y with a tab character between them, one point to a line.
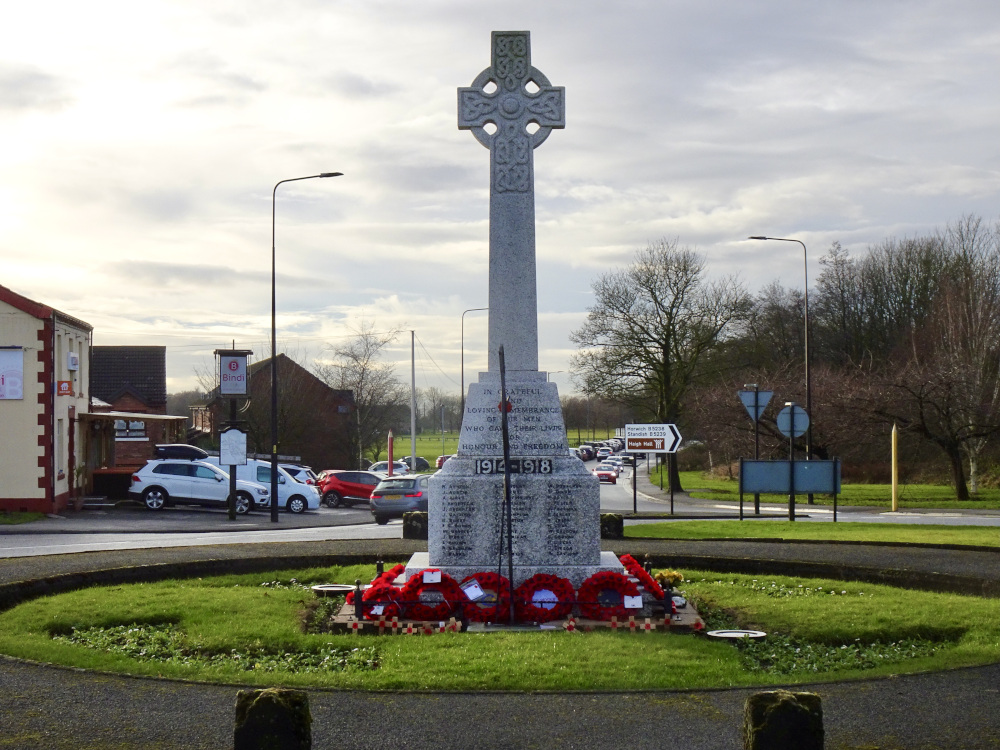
555	501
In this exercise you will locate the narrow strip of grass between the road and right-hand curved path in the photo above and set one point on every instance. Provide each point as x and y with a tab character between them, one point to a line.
982	536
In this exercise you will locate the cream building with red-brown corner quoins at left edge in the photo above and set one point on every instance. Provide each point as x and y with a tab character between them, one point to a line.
44	377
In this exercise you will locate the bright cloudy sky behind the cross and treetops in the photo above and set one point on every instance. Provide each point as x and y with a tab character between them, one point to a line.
142	140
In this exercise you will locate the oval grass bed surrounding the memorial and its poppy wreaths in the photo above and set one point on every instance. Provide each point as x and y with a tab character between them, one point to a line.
262	629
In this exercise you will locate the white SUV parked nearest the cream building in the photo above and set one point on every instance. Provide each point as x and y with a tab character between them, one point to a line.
176	481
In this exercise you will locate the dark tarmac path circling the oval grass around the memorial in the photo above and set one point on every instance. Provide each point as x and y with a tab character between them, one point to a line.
51	707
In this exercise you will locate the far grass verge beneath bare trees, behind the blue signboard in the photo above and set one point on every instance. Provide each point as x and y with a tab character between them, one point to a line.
700	485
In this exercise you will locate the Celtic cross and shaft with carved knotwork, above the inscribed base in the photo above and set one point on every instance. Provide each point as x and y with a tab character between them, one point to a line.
499	109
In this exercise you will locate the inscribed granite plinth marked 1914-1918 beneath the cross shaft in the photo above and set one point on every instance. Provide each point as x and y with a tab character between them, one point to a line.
555	500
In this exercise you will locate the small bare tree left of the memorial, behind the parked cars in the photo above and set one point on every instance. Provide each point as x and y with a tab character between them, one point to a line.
378	395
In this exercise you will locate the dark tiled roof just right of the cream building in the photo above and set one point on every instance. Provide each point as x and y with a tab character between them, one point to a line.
139	370
